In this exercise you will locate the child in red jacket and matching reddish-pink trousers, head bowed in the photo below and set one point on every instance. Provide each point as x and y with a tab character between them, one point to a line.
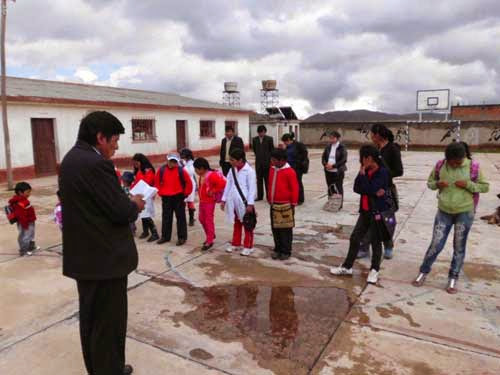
211	185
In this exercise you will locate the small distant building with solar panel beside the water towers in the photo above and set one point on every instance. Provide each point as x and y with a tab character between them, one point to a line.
278	121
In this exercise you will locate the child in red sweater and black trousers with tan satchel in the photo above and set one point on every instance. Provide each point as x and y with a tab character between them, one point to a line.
283	195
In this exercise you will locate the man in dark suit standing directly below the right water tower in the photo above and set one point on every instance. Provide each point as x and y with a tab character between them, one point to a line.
262	146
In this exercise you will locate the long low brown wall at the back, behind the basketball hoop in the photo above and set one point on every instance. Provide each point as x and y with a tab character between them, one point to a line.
476	133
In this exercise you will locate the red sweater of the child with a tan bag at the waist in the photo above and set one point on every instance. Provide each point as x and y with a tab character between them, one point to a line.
287	186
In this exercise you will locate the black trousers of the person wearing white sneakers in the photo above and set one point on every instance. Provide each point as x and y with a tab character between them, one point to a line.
364	226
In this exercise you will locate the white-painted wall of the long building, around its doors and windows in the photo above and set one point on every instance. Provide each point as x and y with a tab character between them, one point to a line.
67	120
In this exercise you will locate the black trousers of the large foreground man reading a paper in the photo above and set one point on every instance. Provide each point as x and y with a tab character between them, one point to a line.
103	324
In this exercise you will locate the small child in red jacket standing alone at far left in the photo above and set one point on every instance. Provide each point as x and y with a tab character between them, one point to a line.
25	215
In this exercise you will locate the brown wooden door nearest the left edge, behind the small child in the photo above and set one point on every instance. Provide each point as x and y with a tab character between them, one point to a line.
44	146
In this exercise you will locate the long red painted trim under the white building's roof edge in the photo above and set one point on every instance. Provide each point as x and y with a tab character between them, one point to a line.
107	104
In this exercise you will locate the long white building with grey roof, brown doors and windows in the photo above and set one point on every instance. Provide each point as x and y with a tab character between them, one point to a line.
44	117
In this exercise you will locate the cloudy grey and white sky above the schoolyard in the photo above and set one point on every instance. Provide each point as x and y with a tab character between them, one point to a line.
325	55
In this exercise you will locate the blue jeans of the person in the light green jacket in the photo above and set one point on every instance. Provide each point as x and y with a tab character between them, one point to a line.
442	226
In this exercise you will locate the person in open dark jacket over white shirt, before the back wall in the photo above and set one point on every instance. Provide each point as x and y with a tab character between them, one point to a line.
334	160
